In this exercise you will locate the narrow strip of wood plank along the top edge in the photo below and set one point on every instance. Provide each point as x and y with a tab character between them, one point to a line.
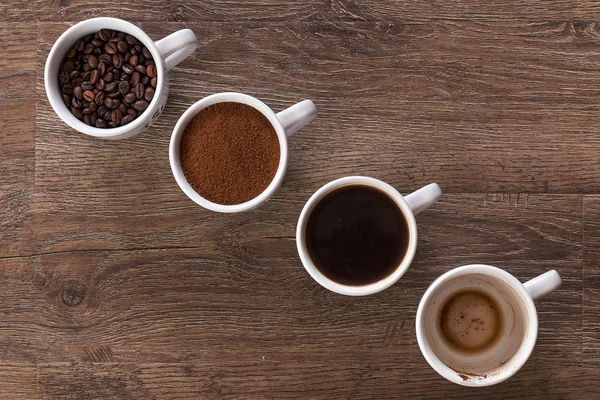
348	10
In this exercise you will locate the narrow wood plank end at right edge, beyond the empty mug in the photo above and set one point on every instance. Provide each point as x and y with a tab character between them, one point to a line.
591	281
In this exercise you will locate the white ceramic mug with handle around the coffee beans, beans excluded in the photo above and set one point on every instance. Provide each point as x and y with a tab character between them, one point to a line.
167	53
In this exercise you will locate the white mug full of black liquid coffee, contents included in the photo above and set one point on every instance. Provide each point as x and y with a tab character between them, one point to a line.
357	235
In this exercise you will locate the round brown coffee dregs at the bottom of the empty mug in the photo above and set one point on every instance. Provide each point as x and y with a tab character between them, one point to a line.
471	322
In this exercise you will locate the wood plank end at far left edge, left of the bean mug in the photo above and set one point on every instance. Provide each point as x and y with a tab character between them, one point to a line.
18	46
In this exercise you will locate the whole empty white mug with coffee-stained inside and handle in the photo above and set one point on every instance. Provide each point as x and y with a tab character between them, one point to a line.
477	324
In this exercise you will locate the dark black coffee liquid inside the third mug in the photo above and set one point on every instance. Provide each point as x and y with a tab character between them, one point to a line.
357	235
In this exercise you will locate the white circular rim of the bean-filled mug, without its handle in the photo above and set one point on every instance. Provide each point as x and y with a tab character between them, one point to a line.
53	88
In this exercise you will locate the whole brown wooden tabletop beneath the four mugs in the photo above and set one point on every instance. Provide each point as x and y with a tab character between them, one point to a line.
114	285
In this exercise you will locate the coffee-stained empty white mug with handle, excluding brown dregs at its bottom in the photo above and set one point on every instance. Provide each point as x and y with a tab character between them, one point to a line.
517	339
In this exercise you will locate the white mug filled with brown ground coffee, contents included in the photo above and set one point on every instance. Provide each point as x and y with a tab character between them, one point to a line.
229	152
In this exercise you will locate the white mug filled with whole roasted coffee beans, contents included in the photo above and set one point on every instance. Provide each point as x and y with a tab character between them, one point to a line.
106	78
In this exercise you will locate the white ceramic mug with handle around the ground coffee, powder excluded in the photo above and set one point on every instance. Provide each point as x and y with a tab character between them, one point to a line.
285	123
